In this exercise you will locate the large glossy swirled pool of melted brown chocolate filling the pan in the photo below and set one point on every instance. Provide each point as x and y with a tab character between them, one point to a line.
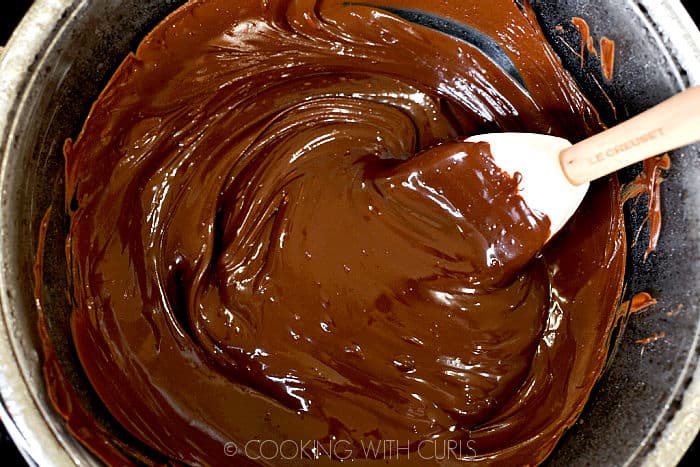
277	234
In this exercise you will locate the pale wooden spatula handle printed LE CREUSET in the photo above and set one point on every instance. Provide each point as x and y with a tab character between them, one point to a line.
669	125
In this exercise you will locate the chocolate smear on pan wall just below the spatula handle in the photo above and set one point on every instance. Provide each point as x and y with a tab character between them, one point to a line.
649	182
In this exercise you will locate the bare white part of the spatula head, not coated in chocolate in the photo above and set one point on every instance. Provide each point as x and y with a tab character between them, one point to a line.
543	185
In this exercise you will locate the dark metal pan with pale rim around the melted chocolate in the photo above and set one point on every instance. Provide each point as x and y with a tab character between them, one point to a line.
645	409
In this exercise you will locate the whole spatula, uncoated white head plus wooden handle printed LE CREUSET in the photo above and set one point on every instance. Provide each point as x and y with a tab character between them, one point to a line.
548	164
